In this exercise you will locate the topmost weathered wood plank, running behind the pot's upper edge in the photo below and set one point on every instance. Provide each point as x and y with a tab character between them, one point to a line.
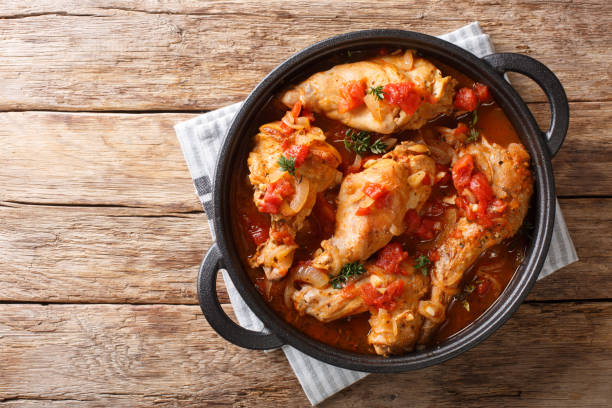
126	55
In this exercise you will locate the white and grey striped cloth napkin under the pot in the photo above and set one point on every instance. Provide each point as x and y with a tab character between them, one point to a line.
201	138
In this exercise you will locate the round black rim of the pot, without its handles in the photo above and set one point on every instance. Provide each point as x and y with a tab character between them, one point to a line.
522	120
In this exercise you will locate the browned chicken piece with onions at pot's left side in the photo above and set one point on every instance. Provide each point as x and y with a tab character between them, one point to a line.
317	173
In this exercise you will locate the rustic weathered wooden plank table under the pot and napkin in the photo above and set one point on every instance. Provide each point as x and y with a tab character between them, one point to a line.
101	233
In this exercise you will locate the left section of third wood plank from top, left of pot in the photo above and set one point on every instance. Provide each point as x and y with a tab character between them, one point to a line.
60	254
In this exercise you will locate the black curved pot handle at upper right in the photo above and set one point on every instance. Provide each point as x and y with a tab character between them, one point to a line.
551	86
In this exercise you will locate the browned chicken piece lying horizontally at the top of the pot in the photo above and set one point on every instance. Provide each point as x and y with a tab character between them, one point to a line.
321	92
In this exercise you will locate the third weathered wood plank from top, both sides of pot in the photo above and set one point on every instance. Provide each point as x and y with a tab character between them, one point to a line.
109	255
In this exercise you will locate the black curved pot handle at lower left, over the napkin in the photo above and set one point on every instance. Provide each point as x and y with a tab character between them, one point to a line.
214	314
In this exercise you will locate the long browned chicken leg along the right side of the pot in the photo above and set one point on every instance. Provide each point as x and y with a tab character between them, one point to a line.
507	170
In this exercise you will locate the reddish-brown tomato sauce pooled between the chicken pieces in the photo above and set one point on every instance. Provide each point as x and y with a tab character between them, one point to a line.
484	281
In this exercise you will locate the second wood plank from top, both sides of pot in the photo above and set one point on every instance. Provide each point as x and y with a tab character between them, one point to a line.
135	160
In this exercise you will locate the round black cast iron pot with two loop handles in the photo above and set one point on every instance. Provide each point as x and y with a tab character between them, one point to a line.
488	70
